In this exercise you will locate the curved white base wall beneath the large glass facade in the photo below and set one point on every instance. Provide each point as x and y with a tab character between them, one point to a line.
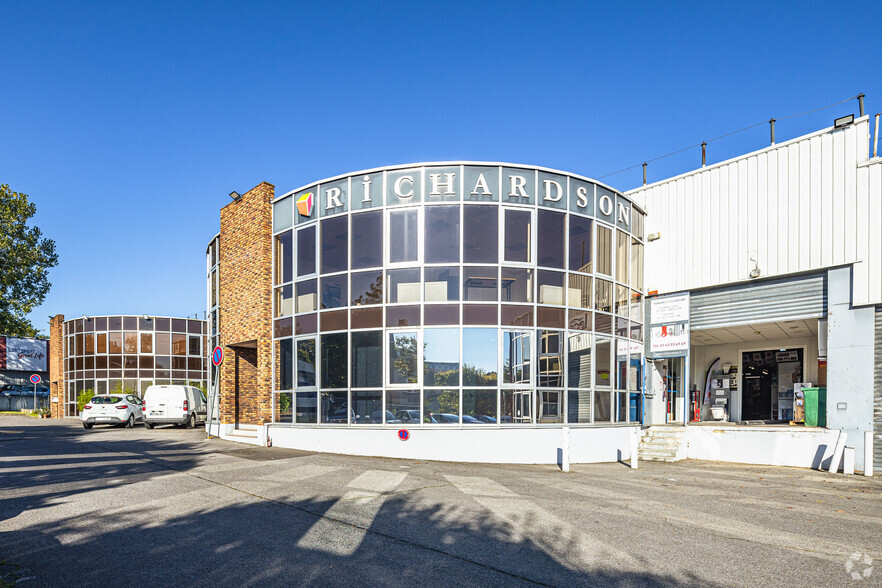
496	445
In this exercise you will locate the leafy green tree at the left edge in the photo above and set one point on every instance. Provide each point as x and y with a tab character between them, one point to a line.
25	259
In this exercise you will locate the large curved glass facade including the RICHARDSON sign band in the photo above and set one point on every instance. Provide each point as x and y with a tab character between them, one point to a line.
457	295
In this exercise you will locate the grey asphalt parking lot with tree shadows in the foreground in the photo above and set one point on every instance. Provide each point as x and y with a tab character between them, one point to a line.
169	506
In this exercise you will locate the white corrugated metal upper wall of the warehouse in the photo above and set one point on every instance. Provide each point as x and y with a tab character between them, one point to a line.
809	203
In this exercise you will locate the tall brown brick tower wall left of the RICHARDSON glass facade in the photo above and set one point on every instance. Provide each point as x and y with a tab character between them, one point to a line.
245	307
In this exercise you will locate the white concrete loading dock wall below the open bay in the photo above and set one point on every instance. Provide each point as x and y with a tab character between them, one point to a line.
805	448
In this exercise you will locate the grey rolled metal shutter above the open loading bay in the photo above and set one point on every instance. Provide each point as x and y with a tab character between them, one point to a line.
776	300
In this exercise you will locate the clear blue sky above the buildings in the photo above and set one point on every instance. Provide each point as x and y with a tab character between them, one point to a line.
129	123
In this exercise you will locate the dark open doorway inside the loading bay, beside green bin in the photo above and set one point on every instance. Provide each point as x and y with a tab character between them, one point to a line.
767	383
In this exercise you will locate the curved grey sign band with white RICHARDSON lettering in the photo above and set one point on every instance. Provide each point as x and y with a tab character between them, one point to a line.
458	182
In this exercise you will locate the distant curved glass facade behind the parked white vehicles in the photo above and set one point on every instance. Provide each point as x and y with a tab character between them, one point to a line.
129	353
